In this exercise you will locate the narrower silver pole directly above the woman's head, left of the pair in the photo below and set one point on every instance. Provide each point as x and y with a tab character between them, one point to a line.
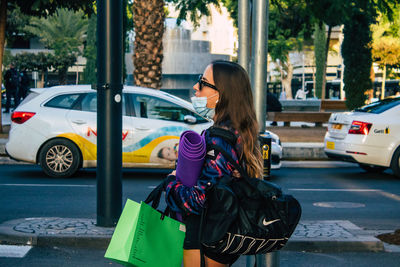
244	33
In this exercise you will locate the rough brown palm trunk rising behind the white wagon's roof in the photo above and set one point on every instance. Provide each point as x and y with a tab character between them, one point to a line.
148	21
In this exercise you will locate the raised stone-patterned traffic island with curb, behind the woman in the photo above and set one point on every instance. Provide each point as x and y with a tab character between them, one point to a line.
310	236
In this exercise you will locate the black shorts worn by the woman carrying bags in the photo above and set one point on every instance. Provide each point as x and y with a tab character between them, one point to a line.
192	241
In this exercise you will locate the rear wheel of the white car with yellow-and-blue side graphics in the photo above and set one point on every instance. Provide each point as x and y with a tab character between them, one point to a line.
60	158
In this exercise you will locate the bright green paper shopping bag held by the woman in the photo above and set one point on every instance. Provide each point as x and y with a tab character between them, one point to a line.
144	237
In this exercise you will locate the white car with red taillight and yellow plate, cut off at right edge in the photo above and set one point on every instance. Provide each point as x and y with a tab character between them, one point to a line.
369	136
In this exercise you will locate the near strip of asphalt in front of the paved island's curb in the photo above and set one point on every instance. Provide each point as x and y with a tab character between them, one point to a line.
71	257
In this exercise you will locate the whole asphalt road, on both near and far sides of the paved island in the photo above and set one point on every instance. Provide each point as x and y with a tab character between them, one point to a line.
371	201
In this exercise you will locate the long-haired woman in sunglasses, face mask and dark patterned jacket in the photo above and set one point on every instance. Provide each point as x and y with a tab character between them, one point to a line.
226	88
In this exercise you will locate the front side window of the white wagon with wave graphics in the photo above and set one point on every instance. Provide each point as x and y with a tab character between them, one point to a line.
155	108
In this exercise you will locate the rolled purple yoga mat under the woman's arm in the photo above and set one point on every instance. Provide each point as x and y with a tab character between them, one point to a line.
191	154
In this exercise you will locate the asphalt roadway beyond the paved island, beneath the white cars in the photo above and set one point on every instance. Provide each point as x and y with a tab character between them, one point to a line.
370	201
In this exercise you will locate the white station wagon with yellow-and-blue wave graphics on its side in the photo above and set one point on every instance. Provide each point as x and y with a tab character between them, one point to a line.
56	128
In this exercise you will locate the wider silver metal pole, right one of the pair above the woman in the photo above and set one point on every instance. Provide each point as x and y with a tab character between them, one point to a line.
259	59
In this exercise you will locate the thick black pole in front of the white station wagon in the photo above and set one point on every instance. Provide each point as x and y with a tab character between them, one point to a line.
109	112
